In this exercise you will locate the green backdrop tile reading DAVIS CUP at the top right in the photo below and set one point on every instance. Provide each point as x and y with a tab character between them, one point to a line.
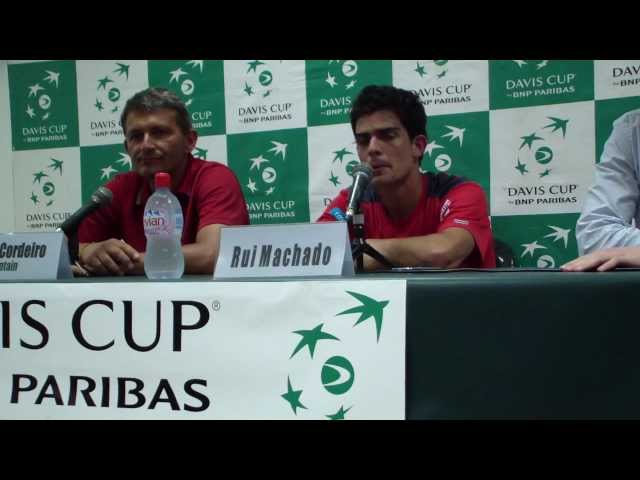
525	83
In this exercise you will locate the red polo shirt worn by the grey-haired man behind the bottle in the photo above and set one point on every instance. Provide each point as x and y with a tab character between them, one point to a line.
209	194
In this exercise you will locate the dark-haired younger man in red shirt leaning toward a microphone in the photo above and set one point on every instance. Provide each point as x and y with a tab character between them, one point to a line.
411	218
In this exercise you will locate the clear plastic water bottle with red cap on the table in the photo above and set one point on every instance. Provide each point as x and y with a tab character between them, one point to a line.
163	228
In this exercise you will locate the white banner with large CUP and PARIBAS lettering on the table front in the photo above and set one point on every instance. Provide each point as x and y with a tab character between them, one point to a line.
295	350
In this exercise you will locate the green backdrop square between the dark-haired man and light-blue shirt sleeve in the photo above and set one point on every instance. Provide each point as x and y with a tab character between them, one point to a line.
540	241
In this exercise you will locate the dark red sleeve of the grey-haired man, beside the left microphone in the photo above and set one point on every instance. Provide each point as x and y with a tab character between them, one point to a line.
104	222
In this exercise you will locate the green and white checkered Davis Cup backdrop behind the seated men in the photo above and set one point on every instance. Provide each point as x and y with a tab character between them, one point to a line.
528	131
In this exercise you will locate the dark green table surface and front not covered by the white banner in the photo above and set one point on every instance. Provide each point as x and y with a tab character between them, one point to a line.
513	343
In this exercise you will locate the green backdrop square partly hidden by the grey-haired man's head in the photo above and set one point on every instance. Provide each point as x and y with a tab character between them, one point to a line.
200	85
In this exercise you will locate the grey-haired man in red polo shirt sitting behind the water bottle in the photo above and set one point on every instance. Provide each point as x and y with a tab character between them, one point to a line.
159	138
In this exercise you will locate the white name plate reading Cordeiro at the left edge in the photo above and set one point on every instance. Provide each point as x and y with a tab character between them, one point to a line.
34	256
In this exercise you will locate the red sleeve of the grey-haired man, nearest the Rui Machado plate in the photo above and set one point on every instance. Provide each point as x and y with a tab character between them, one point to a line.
220	198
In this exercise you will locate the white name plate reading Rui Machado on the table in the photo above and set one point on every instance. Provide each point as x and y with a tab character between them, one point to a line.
284	250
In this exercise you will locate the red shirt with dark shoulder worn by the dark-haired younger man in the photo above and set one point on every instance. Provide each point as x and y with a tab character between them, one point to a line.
448	201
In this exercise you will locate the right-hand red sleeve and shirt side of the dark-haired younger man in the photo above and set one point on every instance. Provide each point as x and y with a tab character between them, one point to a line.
465	206
